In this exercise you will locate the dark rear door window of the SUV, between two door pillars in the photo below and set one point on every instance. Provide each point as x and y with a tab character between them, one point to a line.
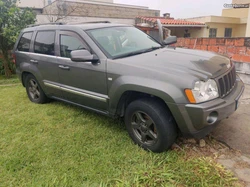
45	43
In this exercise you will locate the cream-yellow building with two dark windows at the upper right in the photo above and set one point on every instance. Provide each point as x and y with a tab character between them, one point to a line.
234	22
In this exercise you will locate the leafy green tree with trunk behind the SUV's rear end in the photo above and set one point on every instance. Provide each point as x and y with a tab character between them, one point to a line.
12	21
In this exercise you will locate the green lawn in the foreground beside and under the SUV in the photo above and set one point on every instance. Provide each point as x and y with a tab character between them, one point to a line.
61	145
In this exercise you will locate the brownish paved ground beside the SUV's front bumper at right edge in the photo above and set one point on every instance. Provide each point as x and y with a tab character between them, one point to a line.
235	131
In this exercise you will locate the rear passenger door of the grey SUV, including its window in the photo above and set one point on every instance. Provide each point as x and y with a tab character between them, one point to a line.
44	60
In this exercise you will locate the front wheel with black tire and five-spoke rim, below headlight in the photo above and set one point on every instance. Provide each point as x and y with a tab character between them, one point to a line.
150	125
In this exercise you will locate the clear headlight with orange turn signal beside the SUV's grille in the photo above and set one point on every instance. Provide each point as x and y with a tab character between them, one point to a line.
203	91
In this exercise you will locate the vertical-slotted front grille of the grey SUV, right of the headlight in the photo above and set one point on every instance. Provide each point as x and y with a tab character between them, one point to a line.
227	82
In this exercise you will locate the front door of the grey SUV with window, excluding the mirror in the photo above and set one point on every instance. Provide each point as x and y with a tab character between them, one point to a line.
82	83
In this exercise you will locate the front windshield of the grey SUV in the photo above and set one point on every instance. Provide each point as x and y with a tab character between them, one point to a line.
118	42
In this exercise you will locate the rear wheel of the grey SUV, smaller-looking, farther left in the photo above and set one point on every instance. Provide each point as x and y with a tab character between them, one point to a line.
34	90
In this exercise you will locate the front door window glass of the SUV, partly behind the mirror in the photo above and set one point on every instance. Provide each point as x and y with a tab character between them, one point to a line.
68	44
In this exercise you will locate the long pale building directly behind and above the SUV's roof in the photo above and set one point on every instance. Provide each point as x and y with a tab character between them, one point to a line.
72	11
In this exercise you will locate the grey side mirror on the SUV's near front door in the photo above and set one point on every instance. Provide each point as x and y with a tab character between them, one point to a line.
83	55
